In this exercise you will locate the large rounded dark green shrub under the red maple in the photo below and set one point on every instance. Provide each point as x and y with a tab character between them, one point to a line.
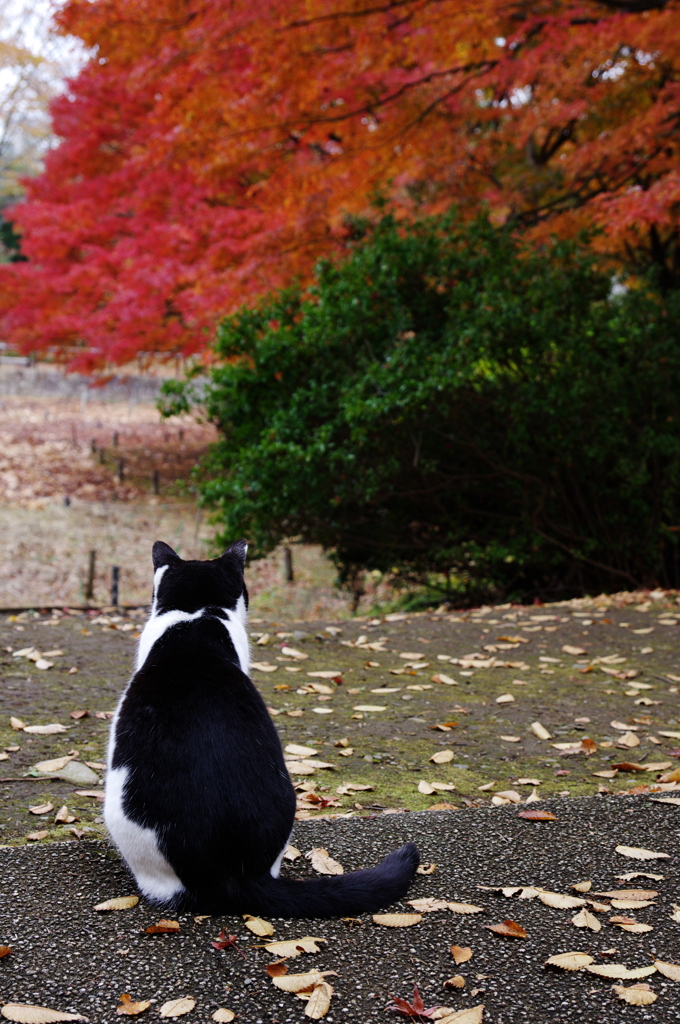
453	405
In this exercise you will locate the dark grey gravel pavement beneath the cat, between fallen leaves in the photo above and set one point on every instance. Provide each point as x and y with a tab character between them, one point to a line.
68	957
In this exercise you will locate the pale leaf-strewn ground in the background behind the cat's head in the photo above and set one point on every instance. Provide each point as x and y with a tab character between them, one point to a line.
63	495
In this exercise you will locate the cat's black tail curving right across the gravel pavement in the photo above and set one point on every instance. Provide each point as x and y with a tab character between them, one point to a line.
331	897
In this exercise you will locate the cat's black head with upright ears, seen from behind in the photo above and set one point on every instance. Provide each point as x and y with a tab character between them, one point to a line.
190	586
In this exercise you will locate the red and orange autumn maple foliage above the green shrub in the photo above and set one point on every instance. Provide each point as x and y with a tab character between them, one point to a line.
212	152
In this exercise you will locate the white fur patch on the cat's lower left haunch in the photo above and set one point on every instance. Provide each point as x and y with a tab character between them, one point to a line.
139	846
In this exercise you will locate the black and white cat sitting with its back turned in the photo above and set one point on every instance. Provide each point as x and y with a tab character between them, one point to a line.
198	797
